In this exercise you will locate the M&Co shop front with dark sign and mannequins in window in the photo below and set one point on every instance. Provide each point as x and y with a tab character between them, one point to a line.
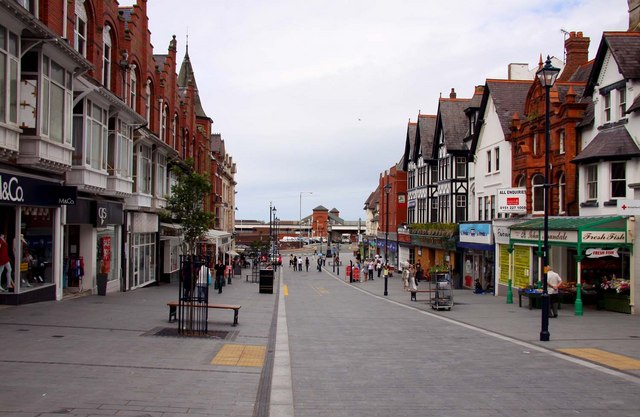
30	237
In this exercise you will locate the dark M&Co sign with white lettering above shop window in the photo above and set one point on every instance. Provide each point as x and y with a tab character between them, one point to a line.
18	190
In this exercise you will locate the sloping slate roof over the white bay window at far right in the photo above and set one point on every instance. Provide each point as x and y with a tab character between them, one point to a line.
609	144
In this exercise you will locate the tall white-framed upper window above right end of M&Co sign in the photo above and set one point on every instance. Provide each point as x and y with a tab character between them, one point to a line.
57	102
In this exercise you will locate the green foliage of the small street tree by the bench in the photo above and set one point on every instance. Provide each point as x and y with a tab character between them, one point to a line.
186	205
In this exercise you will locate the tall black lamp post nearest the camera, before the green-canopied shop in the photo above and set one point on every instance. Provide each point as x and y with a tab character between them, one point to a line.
547	76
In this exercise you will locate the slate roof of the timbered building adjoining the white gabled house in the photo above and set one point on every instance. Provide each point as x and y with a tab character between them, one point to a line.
453	121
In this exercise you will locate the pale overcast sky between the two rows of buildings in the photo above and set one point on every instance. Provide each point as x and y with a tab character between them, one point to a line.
315	95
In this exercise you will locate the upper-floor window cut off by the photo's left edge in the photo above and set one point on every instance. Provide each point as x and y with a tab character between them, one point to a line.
9	45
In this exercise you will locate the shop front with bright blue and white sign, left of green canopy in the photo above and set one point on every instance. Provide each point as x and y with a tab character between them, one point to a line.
476	245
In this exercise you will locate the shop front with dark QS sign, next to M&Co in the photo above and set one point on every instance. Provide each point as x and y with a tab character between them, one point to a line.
92	246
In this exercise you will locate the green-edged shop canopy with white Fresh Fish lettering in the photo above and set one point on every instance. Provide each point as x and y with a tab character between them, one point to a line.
578	232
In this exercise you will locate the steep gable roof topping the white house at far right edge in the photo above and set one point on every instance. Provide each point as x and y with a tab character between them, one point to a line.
625	48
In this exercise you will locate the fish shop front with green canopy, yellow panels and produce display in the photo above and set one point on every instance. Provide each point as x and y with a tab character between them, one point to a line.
591	254
